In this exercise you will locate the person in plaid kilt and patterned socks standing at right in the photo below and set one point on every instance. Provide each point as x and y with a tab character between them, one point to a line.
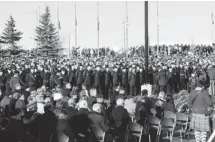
200	104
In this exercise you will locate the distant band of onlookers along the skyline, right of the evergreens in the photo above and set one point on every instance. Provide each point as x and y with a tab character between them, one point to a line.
139	50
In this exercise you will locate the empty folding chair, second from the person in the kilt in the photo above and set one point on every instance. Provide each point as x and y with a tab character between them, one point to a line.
168	125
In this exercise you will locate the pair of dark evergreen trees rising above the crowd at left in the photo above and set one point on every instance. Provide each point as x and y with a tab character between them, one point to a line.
47	36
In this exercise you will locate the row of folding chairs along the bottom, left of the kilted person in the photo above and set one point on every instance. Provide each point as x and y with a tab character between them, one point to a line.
171	123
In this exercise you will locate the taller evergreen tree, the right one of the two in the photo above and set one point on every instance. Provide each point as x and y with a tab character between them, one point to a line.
47	35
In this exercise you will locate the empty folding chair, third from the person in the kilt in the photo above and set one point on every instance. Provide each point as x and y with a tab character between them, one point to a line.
154	123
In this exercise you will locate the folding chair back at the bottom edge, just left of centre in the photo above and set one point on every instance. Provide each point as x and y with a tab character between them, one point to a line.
97	135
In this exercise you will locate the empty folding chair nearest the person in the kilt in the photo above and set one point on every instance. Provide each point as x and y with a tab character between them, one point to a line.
181	124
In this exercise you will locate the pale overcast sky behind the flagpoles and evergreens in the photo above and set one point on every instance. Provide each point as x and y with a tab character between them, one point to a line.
180	22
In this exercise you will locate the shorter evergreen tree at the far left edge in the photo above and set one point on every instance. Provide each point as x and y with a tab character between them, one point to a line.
11	35
